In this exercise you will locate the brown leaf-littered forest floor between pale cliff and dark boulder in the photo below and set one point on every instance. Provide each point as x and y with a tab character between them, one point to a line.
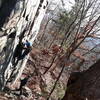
39	85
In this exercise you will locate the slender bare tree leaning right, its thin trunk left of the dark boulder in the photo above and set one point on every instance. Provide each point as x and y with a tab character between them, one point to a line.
81	25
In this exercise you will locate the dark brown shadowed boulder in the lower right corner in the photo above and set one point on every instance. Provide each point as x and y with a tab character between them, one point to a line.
84	85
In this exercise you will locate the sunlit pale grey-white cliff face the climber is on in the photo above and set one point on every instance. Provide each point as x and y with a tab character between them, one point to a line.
23	19
